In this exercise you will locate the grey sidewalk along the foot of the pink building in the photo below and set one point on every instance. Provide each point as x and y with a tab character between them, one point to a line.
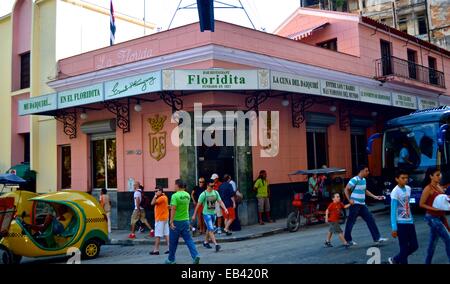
120	237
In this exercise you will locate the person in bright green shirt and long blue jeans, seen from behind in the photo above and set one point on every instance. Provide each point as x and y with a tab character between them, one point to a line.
179	223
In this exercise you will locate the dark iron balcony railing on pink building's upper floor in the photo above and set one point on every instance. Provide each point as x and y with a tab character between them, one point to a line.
391	65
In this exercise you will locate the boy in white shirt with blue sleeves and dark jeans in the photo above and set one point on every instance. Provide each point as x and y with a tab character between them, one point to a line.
402	222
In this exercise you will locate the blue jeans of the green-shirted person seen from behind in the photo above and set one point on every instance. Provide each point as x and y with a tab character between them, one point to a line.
181	229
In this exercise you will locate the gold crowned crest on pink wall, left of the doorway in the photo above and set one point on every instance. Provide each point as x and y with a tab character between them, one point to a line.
157	137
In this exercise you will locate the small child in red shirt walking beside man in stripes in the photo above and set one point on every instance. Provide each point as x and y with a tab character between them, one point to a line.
332	216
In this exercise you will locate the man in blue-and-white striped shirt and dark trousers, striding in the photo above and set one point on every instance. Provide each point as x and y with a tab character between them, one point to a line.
356	192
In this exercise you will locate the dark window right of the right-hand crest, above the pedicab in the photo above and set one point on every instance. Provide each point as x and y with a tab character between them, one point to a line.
317	147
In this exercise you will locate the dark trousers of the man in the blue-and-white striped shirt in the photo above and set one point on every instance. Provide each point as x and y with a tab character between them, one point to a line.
360	210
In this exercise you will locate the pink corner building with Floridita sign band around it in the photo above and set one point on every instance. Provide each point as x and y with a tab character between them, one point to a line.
334	78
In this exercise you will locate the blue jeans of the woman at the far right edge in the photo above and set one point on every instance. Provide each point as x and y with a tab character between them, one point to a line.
437	230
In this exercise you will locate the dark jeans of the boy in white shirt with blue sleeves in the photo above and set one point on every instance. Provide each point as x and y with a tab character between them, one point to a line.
407	239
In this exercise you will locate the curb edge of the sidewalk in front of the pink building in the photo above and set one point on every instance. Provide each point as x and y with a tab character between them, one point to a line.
200	241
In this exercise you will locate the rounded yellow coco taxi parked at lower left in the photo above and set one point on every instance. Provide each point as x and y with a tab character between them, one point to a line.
51	224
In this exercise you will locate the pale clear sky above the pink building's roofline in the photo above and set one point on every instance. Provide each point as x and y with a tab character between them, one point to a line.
266	14
